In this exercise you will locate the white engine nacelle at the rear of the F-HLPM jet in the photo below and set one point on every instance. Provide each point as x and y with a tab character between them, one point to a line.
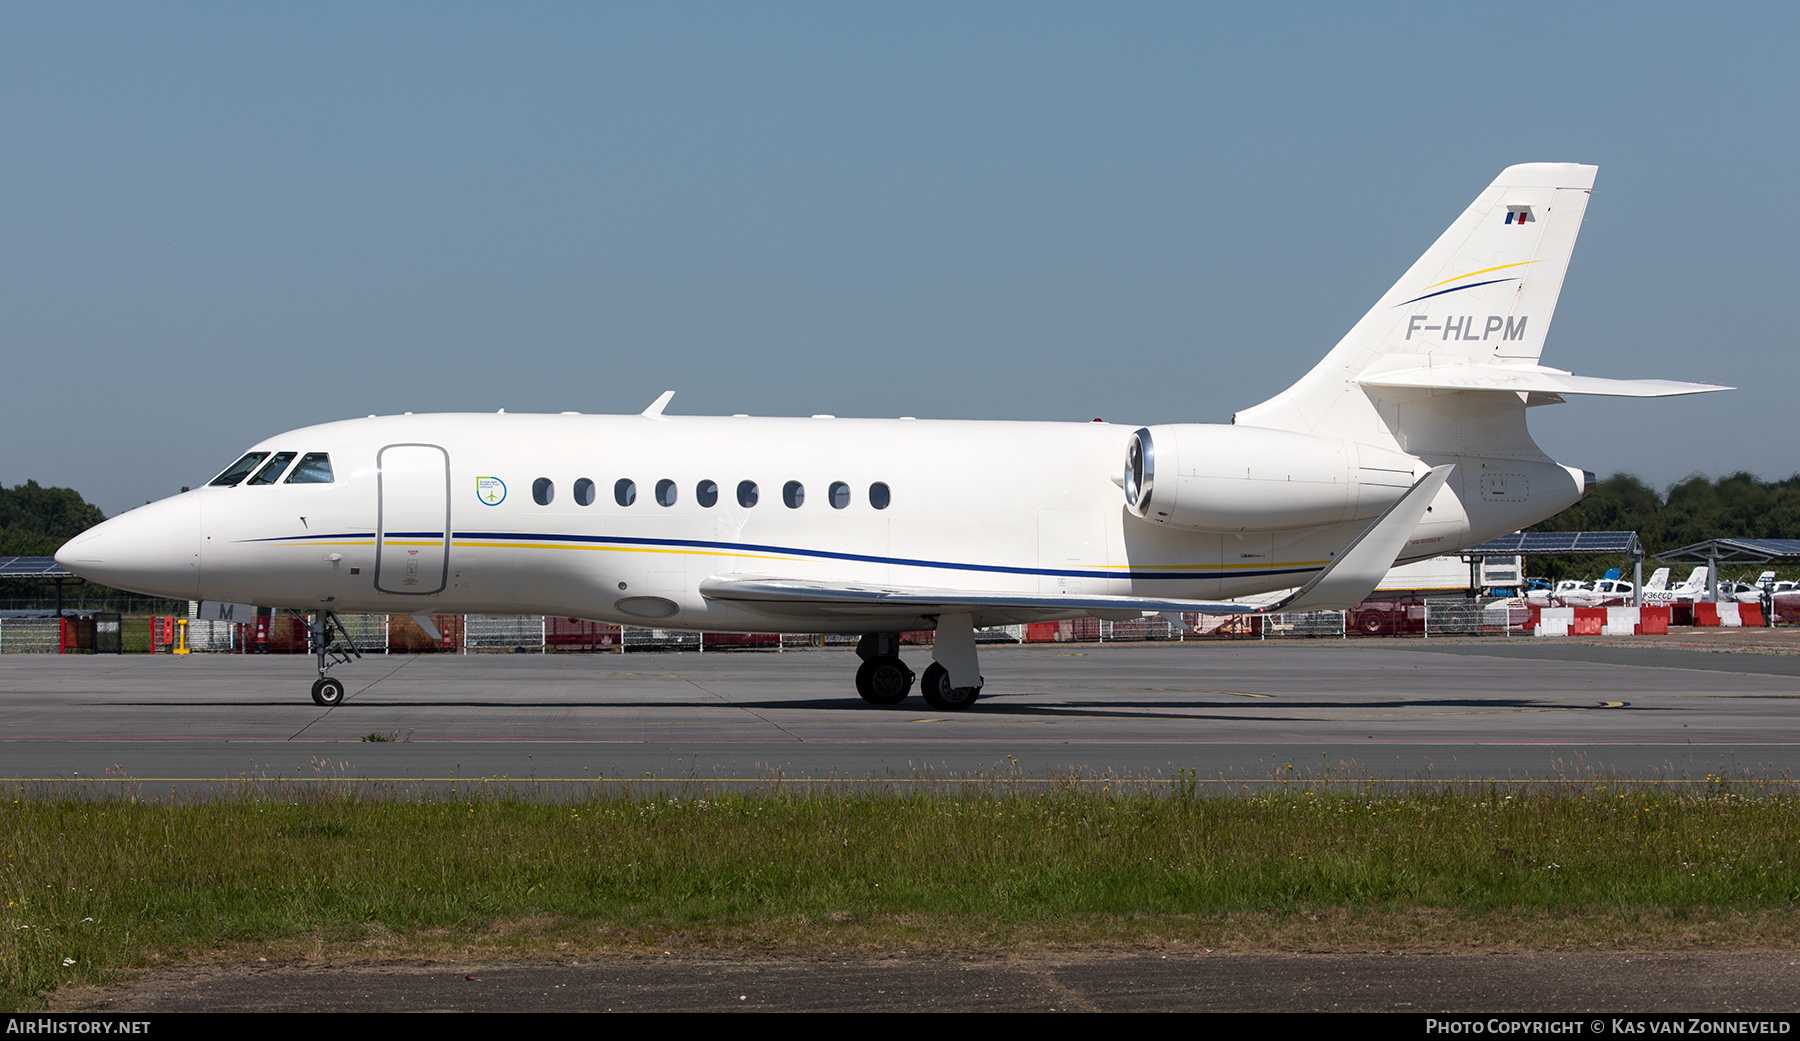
1212	478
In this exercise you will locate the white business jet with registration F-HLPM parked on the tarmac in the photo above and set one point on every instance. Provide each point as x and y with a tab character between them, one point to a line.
1408	440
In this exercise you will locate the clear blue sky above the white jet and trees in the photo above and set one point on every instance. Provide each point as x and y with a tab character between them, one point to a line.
229	221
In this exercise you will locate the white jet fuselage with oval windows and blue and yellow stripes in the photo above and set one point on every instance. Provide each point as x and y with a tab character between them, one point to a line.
523	514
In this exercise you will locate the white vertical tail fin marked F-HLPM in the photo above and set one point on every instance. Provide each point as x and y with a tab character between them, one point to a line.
1484	294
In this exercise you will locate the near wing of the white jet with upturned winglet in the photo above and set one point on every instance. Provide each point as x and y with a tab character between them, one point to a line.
1342	584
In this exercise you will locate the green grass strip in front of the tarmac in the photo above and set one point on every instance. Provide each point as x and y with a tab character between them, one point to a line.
93	887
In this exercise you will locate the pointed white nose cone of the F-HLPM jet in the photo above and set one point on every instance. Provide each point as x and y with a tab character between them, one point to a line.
152	550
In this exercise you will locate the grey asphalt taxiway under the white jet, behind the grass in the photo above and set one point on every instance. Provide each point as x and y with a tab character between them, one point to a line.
1228	712
